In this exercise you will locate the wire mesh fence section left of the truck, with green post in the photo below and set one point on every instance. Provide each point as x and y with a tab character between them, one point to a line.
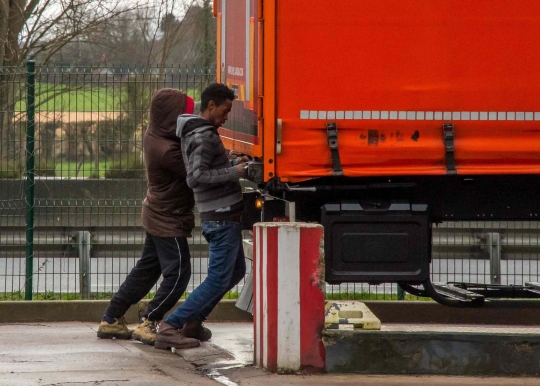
85	172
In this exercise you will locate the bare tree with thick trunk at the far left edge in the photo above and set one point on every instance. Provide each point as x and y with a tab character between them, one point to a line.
32	28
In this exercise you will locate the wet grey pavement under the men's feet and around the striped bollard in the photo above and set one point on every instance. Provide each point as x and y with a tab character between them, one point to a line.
69	353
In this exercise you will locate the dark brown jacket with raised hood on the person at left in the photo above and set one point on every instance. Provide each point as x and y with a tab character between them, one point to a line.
168	207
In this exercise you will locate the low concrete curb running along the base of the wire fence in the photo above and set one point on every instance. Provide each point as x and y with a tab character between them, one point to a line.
501	313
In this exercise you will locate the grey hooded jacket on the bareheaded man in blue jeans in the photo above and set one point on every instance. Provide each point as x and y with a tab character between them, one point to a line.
210	173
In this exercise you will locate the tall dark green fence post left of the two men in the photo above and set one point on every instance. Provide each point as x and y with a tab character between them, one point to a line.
30	105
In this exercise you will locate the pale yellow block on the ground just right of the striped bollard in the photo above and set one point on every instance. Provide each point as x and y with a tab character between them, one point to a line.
348	315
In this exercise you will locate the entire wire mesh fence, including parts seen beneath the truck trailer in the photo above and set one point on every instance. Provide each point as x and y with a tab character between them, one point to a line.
89	185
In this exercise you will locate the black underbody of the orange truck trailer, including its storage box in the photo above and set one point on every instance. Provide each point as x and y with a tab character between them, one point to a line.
378	230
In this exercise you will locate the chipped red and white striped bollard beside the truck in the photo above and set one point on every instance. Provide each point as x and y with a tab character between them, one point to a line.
288	296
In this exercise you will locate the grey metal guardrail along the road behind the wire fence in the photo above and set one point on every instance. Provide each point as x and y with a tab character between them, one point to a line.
85	259
